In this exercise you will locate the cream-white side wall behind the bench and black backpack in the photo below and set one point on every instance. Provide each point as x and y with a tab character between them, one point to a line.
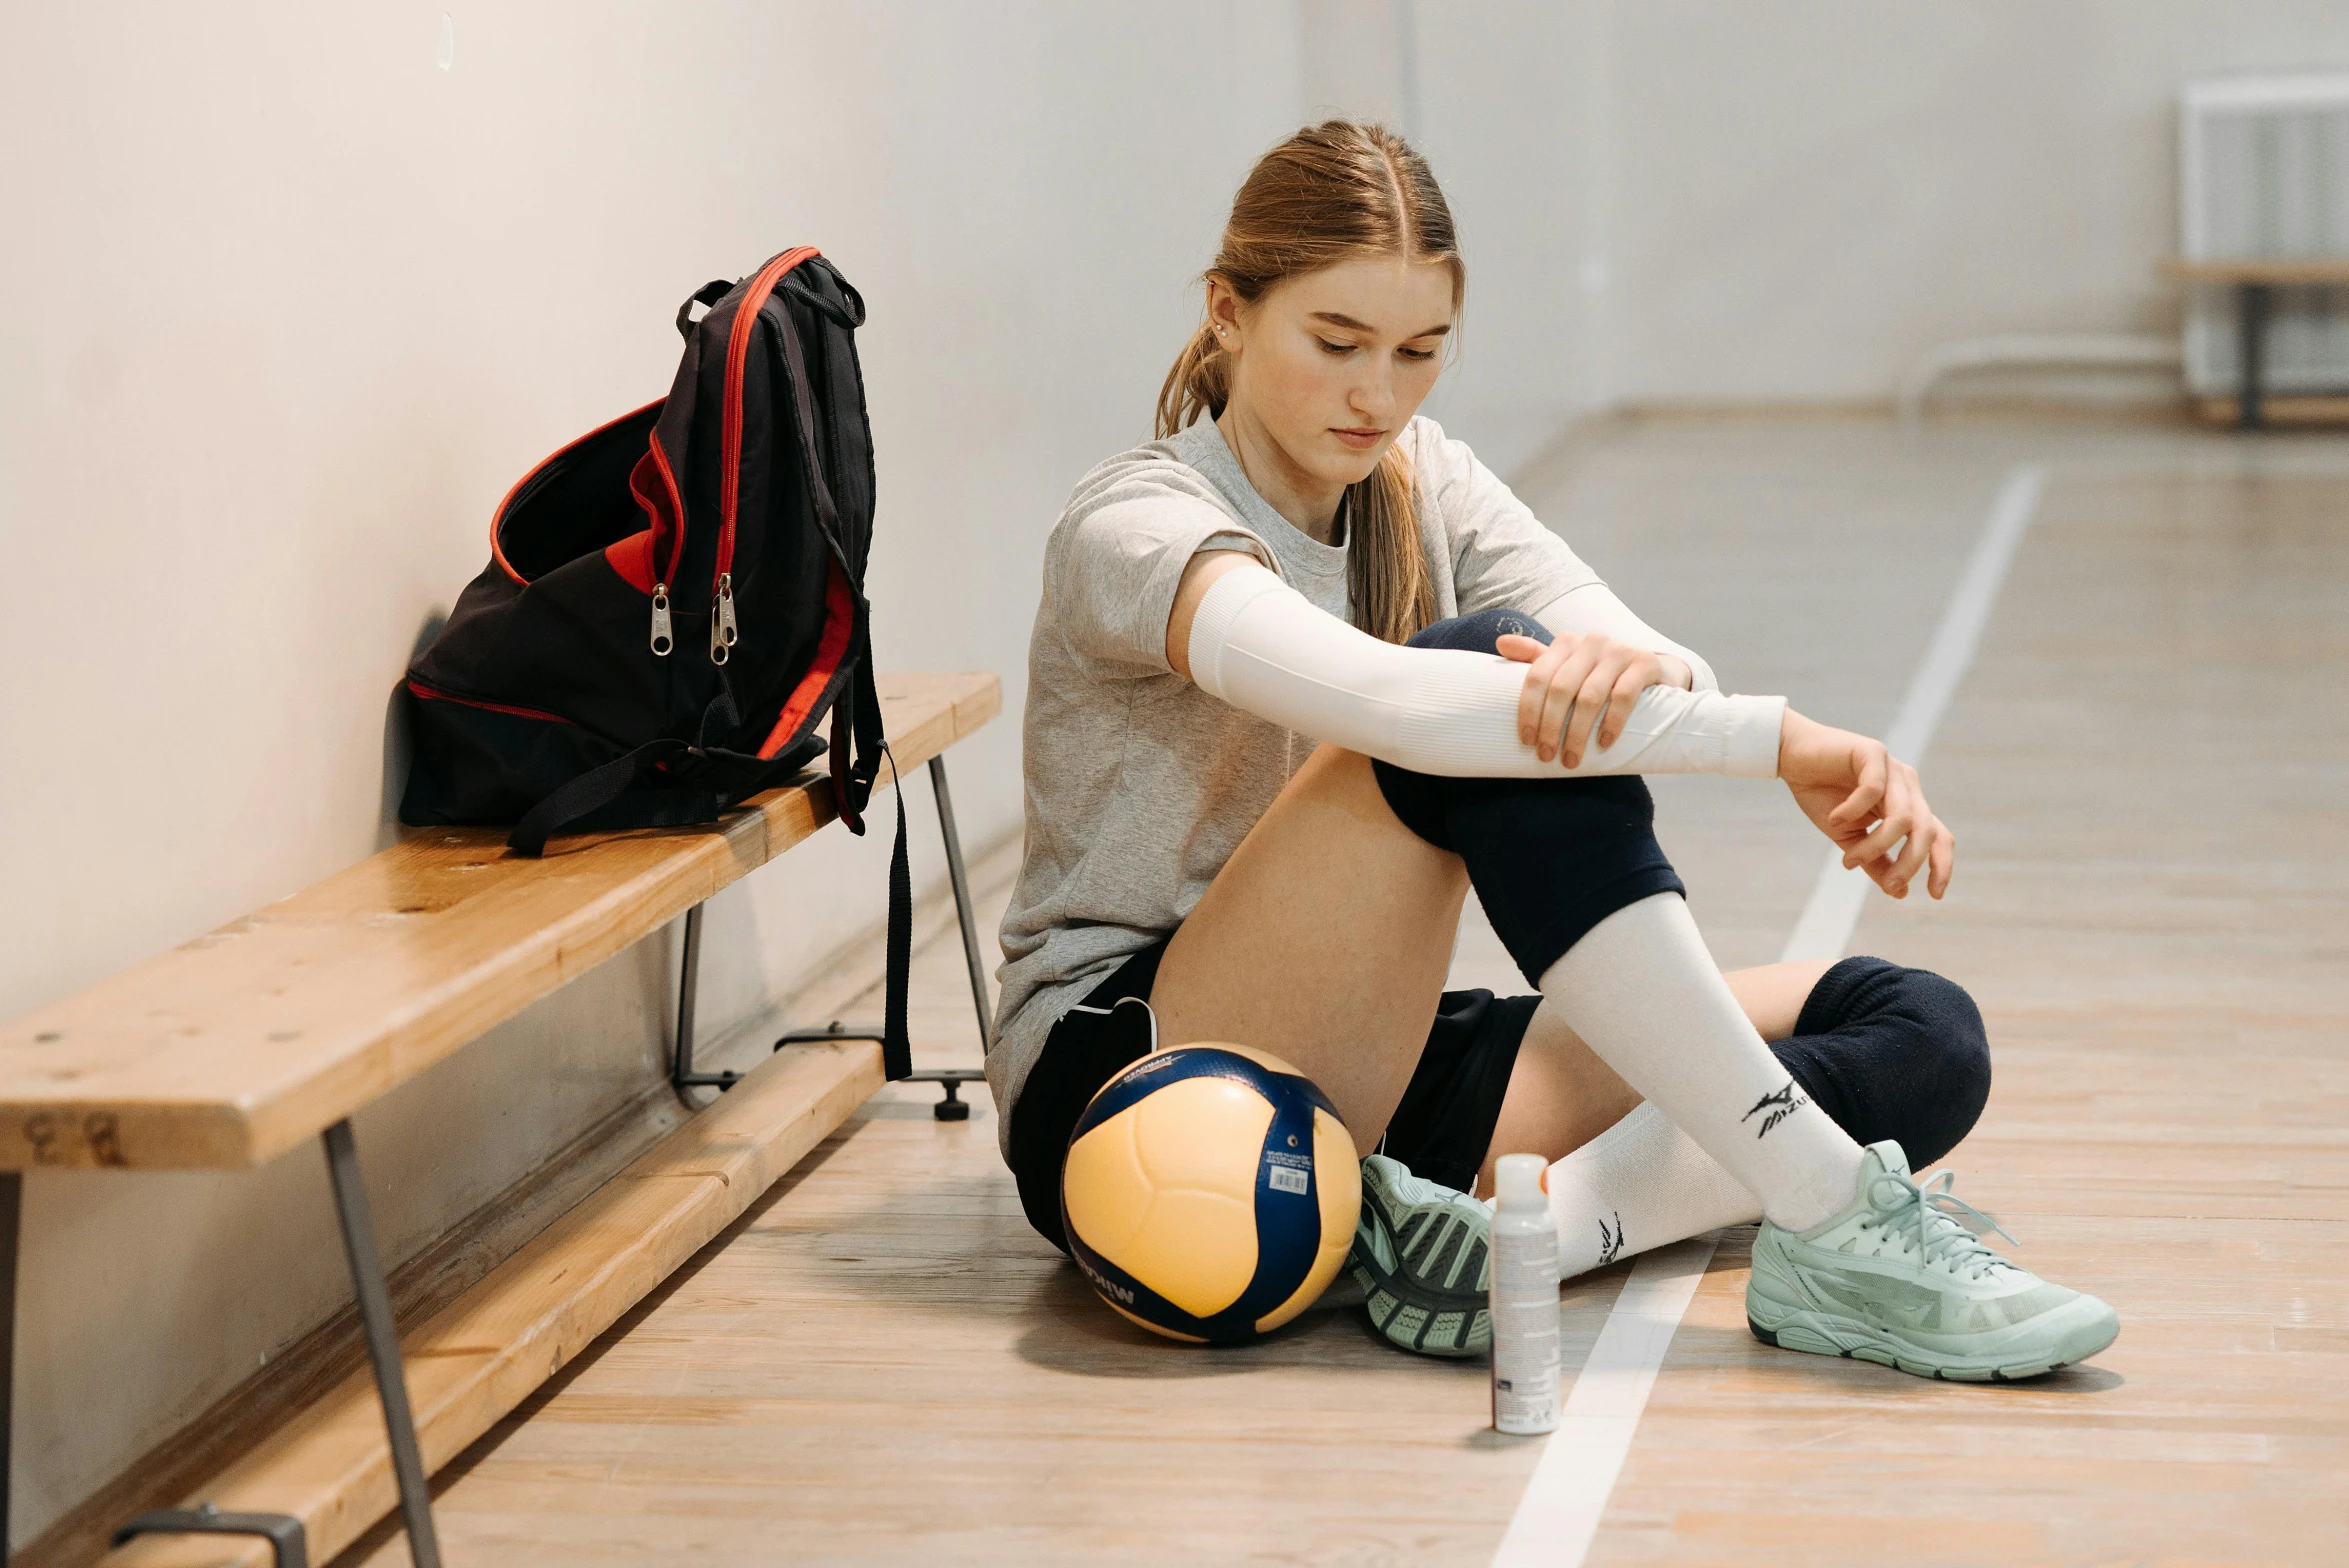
285	309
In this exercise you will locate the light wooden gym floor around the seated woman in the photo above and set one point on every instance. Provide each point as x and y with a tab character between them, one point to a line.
2151	778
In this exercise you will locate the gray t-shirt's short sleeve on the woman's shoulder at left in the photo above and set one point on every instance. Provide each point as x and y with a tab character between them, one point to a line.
1112	572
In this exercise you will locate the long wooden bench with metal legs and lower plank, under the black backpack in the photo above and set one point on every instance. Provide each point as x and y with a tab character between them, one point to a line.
276	1029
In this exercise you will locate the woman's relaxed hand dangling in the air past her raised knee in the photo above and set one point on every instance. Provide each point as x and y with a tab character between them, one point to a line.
1869	804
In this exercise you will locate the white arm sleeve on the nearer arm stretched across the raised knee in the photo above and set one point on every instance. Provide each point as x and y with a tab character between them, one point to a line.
1265	649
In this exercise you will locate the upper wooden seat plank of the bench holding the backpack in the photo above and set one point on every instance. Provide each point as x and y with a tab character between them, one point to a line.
253	1039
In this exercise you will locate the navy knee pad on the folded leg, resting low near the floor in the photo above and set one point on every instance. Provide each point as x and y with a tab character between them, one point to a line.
1892	1053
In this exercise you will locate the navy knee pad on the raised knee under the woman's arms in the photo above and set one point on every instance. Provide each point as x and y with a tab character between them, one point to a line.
1549	858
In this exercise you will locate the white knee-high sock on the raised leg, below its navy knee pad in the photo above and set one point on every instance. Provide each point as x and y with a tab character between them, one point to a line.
1645	996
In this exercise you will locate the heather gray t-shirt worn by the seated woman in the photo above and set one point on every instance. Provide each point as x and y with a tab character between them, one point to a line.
1138	783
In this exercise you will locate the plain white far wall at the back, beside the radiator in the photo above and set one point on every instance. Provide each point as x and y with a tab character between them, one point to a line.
1810	194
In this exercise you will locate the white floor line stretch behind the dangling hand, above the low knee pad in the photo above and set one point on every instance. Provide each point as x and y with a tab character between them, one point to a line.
1838	898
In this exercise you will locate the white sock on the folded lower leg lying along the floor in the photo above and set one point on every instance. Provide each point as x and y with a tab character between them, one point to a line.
1638	1187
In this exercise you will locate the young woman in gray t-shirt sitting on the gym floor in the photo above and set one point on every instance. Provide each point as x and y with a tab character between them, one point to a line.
1305	673
